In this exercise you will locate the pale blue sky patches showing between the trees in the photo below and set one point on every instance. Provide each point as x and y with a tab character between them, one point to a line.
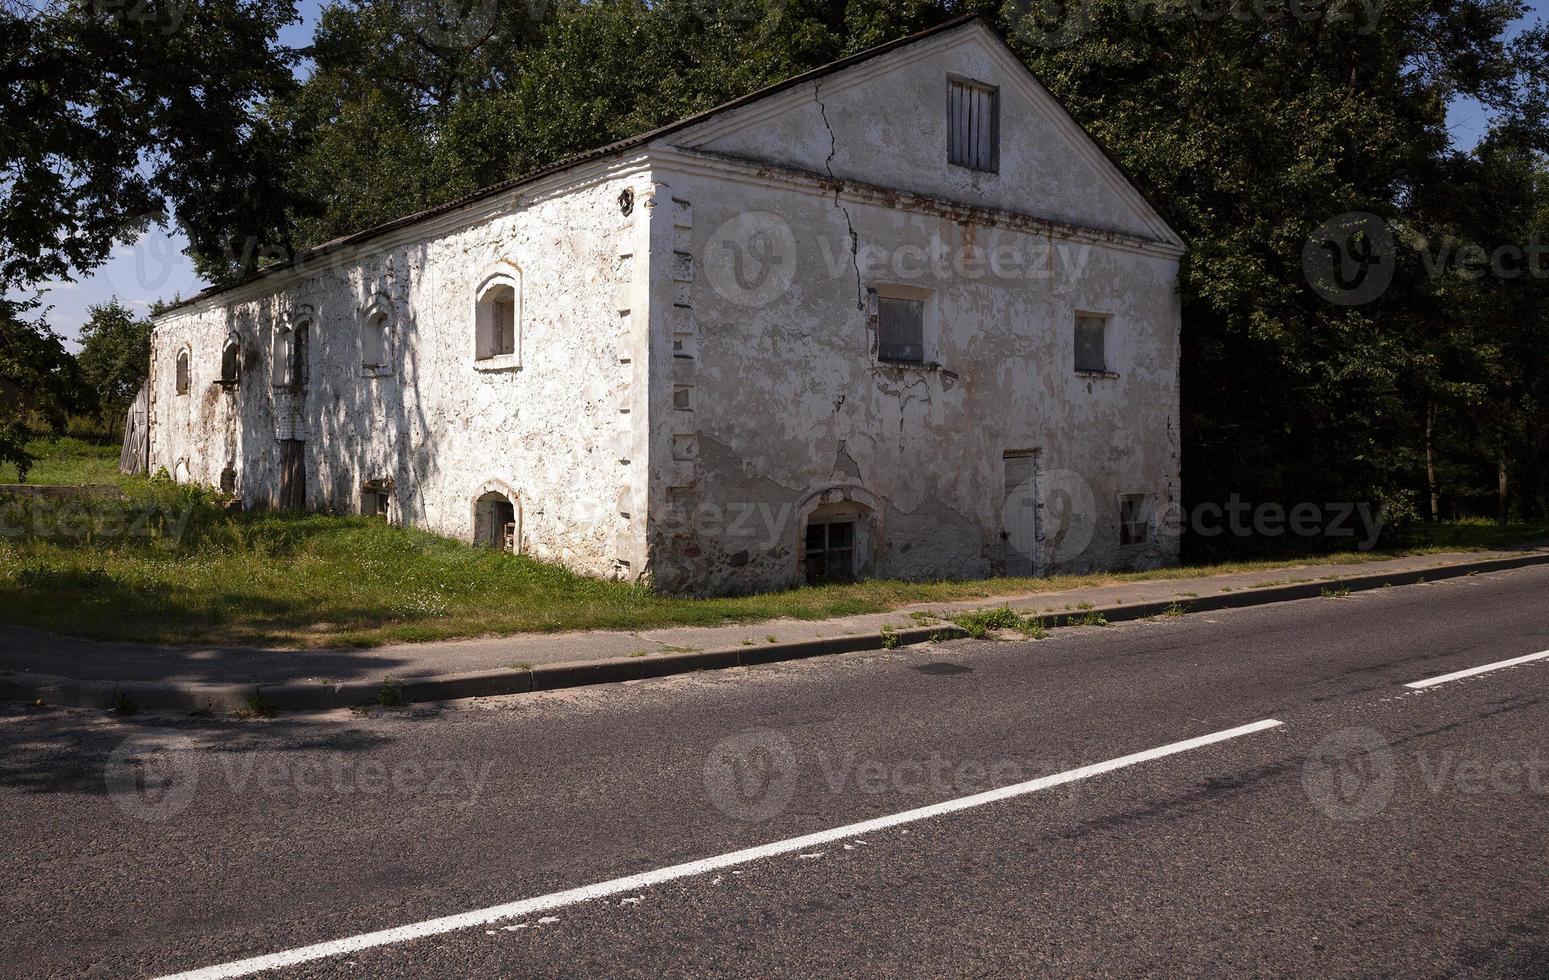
156	267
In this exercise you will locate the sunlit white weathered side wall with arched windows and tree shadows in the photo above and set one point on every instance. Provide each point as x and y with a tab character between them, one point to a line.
554	434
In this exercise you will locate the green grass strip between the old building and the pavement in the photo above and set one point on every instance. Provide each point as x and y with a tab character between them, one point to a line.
287	580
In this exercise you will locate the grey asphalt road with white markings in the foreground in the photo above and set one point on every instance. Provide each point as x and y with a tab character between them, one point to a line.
1378	831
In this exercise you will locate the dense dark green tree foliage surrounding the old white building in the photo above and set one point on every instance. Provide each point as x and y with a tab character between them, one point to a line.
1252	125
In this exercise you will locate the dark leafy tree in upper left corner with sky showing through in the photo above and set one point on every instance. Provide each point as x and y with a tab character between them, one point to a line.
123	115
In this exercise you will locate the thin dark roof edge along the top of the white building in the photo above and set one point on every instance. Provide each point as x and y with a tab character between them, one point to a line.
627	145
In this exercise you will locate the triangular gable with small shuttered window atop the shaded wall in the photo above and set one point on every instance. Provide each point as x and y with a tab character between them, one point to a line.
884	120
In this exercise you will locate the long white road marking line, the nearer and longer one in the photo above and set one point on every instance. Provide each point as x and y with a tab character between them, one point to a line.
645	880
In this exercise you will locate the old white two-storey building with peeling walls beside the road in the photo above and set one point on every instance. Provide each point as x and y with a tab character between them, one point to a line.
899	317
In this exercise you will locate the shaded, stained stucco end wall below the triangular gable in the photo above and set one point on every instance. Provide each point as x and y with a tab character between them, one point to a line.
785	406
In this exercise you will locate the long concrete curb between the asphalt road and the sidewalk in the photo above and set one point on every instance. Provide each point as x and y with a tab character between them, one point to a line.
162	696
